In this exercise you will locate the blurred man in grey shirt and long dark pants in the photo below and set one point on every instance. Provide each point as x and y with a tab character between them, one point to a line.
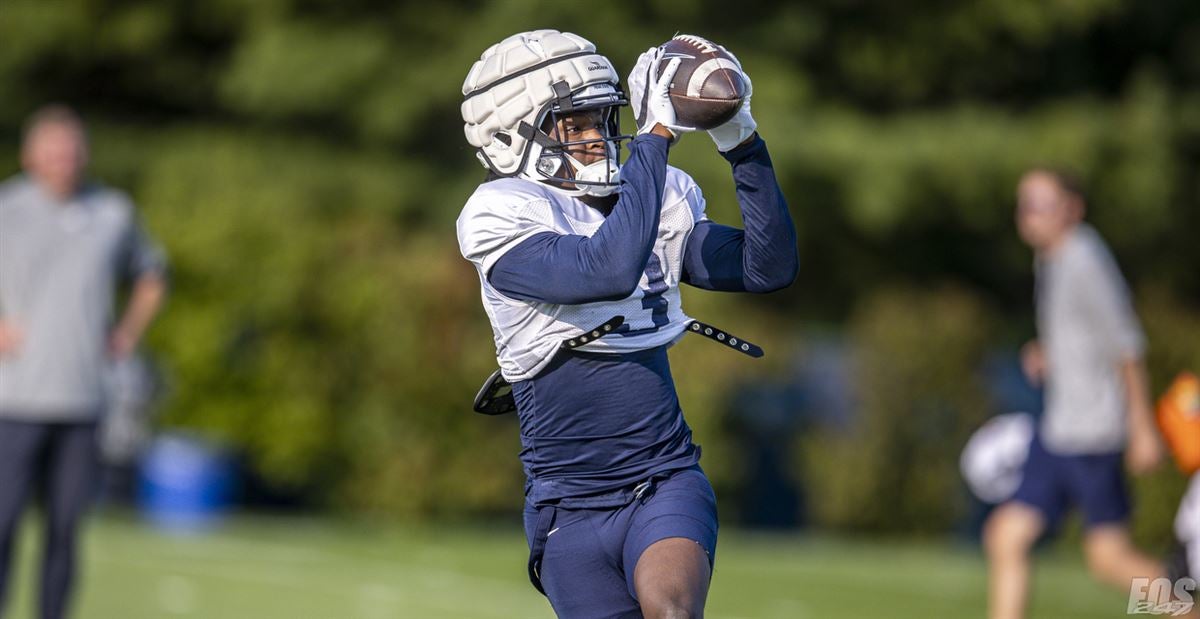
65	244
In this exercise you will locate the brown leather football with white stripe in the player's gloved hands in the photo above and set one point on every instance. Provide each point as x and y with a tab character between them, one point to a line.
709	88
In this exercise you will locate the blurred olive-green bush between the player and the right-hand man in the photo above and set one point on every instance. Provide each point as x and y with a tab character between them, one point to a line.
920	398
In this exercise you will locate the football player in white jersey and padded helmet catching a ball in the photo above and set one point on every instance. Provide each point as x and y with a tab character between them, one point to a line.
620	518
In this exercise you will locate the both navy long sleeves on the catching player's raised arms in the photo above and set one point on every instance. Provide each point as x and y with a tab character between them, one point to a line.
573	269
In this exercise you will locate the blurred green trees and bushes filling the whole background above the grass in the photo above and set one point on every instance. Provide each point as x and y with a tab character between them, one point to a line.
303	163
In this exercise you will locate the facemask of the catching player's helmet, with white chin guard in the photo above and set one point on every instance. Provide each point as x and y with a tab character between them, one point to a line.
578	147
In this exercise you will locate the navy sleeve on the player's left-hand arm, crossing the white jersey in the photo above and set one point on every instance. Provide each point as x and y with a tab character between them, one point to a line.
571	269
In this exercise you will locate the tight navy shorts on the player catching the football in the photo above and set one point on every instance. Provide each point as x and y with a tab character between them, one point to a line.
585	561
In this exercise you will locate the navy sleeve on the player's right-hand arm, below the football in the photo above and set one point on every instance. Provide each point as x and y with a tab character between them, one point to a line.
763	257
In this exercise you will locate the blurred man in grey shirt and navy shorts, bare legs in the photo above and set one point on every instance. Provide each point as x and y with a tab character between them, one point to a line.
1089	357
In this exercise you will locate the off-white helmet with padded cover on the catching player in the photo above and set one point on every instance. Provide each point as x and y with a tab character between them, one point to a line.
515	97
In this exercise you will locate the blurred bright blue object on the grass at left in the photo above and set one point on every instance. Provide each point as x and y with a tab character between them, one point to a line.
185	484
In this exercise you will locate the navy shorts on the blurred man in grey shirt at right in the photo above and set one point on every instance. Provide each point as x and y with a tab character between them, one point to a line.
1095	483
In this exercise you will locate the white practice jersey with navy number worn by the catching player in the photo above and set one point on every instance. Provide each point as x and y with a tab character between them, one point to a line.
505	213
